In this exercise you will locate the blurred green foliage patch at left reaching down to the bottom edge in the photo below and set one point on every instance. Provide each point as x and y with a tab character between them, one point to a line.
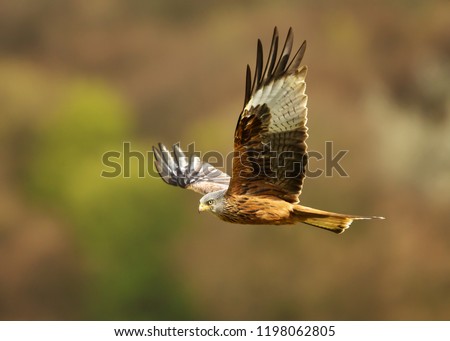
124	240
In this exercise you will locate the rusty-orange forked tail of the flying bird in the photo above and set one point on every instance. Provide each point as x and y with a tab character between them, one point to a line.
331	221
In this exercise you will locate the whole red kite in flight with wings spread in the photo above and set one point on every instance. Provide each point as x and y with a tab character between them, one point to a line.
270	153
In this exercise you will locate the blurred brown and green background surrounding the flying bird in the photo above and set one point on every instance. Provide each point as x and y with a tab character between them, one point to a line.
80	78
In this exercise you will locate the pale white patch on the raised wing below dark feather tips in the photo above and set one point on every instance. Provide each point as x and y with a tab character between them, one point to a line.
286	100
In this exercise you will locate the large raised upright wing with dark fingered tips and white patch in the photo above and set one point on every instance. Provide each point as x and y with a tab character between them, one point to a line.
269	142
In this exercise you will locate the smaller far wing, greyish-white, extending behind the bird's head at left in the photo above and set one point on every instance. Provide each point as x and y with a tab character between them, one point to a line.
190	173
